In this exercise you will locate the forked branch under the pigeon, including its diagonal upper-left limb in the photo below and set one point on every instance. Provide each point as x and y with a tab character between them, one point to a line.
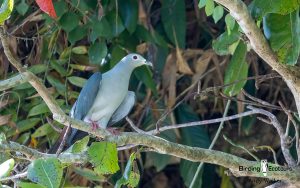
158	144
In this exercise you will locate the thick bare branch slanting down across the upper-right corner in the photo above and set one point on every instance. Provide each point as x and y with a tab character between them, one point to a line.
291	75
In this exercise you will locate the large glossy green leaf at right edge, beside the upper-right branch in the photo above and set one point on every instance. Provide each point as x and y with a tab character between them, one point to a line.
283	34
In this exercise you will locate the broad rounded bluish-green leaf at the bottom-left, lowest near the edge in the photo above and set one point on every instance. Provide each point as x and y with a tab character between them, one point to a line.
47	172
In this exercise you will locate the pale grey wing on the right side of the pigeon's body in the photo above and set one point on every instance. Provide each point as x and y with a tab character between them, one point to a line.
124	108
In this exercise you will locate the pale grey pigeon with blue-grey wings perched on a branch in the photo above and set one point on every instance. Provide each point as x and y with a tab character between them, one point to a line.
105	99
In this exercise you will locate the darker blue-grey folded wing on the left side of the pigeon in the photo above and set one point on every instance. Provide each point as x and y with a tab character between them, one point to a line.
87	96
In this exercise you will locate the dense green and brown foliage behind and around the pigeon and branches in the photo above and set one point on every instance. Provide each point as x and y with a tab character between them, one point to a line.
72	39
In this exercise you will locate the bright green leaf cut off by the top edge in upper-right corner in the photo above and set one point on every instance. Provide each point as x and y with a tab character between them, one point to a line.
260	8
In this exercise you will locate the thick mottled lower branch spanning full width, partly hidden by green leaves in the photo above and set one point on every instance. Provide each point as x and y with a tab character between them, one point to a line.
165	147
